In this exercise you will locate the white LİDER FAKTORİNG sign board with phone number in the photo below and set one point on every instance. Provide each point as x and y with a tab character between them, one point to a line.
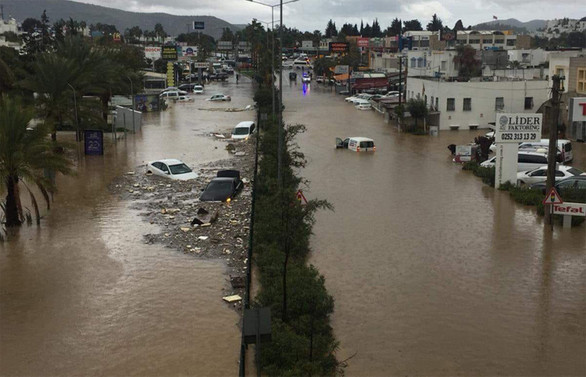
517	128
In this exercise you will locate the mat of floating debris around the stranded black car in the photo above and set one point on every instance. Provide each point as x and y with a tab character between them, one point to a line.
173	205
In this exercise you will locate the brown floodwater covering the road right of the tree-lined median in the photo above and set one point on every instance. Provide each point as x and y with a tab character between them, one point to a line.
433	272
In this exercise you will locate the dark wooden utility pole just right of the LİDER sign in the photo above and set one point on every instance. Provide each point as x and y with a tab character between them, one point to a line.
556	94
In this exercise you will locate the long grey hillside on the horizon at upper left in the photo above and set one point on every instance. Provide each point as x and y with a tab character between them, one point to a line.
92	14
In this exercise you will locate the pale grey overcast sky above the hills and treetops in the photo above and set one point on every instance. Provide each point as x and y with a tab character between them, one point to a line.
309	15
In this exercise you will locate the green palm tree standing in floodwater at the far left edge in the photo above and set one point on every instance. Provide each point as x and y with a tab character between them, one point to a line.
24	154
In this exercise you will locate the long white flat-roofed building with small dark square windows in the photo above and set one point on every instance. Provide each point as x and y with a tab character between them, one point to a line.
463	105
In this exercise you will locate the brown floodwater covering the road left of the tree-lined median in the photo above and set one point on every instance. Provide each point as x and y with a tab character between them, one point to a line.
84	295
